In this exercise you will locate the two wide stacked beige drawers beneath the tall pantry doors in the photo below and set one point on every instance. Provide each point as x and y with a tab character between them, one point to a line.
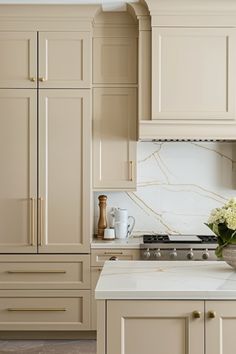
45	293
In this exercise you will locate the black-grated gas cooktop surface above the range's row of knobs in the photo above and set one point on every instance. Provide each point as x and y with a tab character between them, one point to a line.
179	239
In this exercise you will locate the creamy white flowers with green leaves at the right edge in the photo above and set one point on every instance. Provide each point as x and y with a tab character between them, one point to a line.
222	222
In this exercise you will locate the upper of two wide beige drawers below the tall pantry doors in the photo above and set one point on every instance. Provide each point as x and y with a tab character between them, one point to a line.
45	272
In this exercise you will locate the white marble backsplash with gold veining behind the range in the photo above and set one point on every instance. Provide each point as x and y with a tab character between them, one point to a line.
179	183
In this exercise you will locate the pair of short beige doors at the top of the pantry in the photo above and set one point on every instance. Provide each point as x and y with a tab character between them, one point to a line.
63	59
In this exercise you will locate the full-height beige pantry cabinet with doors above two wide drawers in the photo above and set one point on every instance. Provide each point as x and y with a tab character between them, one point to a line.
45	127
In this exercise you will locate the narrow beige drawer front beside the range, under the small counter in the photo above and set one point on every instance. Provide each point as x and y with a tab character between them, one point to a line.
98	257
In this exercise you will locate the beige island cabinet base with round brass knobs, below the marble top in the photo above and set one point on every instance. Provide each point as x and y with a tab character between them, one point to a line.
157	327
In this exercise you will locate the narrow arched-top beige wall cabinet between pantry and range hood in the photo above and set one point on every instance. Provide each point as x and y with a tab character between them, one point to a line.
115	84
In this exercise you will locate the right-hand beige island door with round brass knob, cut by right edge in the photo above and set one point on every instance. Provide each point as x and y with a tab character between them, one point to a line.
220	330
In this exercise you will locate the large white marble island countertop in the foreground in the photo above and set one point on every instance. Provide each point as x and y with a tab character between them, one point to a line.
190	280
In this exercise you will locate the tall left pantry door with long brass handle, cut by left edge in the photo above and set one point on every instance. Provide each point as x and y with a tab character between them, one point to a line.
18	173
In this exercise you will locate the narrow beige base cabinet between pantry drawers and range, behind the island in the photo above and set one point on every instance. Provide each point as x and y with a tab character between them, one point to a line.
98	258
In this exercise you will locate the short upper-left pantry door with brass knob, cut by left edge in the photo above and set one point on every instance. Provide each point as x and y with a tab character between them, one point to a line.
18	60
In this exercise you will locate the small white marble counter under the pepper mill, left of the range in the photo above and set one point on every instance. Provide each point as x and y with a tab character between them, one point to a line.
129	243
